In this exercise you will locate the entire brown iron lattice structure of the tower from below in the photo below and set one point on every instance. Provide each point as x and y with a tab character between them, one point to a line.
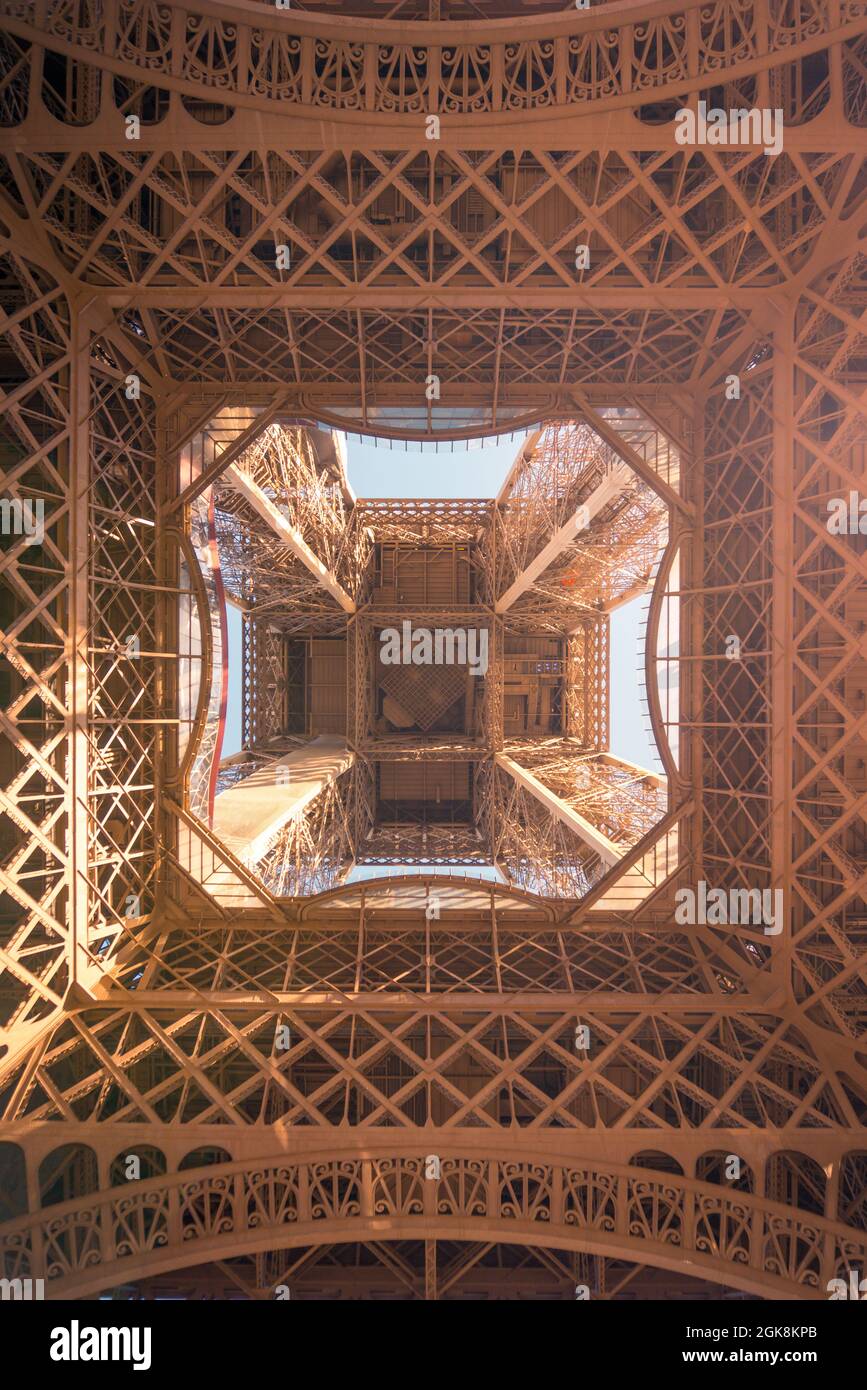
433	1017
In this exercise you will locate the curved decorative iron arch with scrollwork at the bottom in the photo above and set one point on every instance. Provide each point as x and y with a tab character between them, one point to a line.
629	1213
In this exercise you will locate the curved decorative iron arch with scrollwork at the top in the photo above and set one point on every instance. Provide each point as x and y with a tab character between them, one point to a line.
520	70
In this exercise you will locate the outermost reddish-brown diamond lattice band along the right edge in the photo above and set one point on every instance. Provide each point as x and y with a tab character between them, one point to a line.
826	789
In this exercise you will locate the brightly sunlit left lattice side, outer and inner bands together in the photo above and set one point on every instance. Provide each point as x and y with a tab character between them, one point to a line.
83	651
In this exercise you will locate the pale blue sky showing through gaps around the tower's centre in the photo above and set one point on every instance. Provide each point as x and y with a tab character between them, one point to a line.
377	471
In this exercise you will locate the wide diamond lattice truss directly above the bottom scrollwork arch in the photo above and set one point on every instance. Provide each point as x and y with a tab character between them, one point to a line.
522	1070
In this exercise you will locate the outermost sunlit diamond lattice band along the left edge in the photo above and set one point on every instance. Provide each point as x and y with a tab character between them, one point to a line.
40	679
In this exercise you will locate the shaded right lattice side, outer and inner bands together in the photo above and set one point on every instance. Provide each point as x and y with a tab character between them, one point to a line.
807	839
